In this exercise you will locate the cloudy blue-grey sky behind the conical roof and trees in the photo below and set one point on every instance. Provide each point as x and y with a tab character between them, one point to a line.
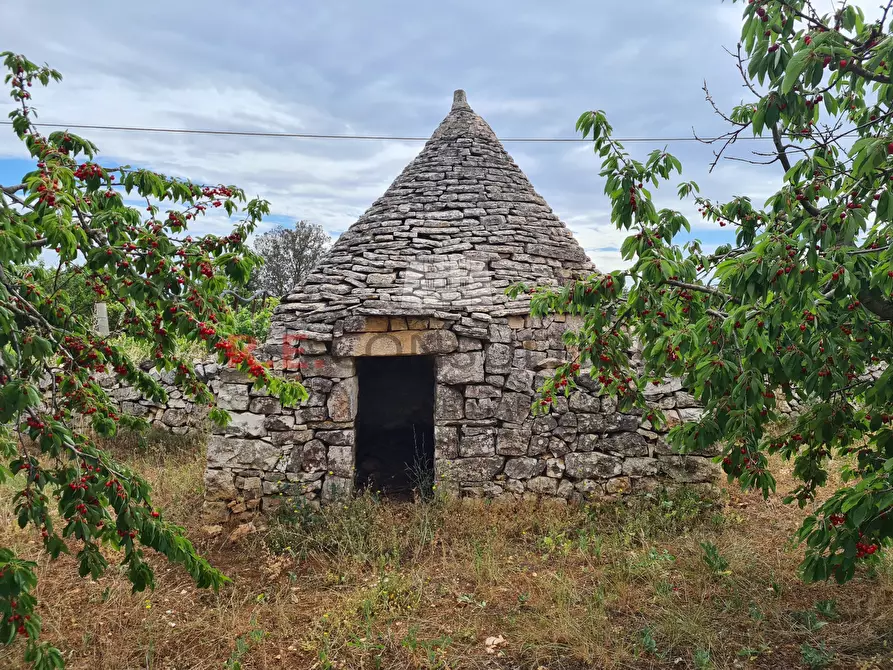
389	68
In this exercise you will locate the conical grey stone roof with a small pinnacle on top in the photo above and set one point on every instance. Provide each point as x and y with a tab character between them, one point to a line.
455	229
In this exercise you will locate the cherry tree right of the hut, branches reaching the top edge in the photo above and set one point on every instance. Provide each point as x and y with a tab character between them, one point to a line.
800	306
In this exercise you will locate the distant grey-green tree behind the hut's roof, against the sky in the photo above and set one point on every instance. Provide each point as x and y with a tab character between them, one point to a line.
289	254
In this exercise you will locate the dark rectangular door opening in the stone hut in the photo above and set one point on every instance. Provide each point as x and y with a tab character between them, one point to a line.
395	424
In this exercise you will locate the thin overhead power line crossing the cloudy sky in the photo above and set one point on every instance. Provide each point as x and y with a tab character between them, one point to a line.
321	136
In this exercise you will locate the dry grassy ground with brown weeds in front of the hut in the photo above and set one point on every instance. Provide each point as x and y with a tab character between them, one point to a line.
471	584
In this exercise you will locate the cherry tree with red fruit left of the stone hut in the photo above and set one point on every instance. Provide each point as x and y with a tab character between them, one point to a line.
168	283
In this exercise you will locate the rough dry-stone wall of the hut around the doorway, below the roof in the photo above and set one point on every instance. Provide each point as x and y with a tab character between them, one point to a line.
486	440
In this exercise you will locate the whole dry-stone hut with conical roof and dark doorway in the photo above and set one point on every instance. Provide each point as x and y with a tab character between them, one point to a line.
419	364
